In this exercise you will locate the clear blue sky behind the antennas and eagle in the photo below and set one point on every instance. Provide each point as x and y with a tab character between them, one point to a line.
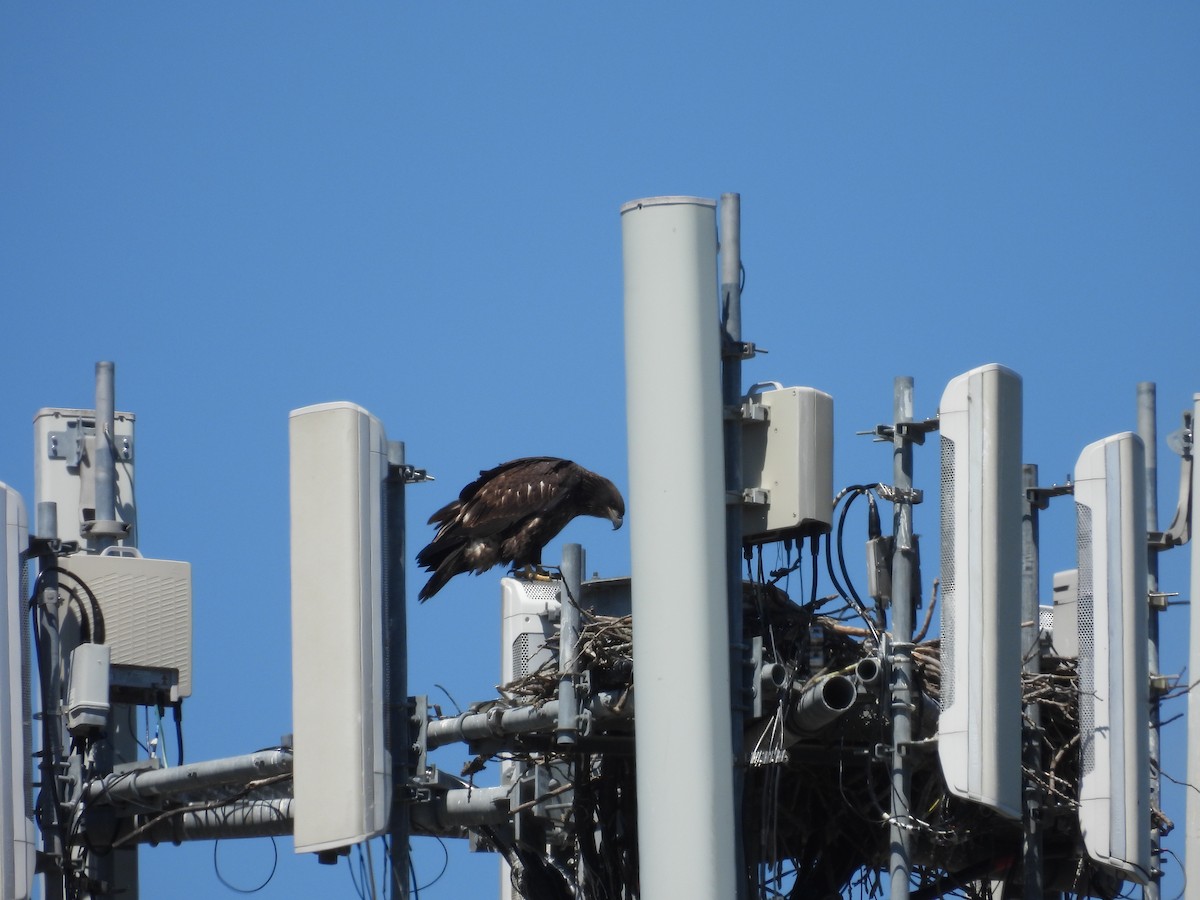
257	207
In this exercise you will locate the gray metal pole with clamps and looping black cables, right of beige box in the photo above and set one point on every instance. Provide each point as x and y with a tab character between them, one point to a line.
903	695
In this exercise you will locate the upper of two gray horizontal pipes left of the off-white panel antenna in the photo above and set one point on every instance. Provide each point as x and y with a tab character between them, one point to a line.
143	787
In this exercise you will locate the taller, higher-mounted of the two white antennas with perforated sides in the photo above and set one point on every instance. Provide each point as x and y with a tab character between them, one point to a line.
980	729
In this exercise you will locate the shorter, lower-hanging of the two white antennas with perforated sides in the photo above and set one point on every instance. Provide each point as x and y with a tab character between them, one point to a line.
1114	669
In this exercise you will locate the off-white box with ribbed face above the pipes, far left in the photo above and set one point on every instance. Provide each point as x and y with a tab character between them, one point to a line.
146	607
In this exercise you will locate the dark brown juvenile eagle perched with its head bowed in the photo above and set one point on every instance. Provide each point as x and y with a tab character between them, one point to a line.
511	513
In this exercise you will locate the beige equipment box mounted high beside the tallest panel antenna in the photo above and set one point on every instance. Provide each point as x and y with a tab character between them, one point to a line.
789	458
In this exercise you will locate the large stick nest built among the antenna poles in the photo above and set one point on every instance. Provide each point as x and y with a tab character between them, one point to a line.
817	811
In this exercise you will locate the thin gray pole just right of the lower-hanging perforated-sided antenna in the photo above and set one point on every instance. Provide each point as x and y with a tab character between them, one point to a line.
1148	430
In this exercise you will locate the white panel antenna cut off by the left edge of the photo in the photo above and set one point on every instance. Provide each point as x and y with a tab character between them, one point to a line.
17	837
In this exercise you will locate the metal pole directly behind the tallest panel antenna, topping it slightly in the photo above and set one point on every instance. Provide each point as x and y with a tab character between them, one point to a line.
731	399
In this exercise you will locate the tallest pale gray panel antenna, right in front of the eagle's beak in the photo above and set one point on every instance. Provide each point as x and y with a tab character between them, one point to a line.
677	497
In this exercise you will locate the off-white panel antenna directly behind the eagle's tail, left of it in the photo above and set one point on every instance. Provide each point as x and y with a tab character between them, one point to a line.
343	769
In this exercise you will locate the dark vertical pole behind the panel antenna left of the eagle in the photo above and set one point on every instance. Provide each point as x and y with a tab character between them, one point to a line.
397	669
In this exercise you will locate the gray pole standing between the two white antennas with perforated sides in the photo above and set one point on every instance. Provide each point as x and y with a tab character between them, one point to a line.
1031	667
